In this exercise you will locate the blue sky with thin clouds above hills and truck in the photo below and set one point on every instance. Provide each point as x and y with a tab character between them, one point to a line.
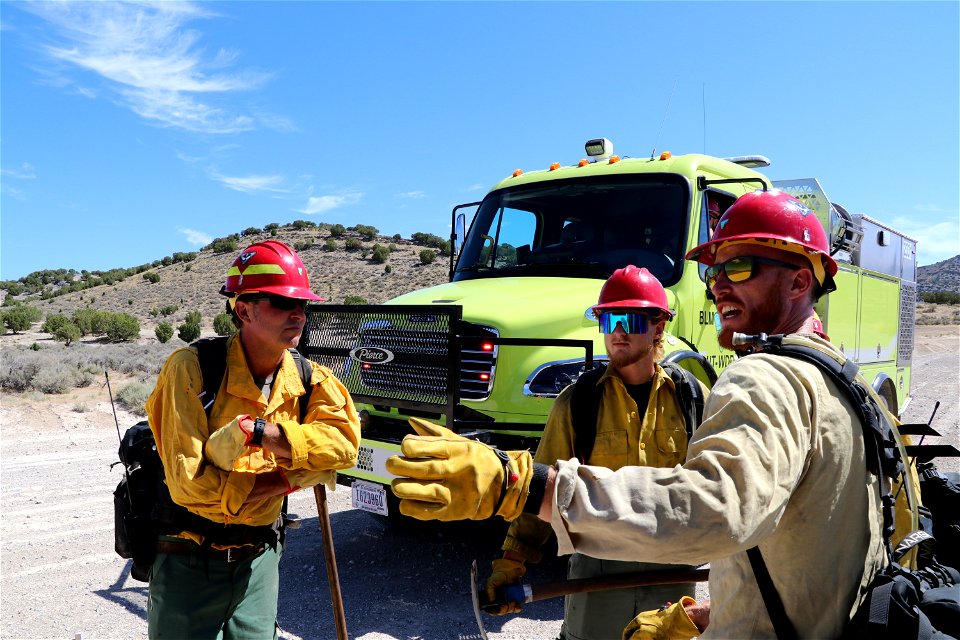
129	132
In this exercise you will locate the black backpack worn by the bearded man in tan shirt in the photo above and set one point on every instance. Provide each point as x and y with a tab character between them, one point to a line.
901	604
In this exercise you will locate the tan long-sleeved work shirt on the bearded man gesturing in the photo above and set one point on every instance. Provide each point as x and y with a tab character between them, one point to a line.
778	462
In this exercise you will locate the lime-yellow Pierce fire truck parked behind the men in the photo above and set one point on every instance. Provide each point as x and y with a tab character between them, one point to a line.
487	353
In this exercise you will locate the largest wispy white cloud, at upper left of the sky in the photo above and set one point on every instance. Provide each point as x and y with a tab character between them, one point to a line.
154	63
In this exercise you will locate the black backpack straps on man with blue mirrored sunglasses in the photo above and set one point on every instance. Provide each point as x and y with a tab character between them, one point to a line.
585	405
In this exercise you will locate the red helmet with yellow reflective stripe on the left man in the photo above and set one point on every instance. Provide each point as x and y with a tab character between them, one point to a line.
269	267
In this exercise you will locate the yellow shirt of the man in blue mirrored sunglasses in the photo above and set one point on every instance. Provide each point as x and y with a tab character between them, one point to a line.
657	438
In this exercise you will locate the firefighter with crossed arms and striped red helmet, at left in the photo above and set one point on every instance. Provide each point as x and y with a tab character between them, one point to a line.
219	576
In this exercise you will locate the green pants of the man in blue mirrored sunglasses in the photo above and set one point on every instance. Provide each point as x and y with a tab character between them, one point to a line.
602	615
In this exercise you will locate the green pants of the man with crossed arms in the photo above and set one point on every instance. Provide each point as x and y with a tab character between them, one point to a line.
196	597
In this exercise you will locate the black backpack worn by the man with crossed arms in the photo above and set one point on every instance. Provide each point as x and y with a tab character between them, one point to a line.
143	508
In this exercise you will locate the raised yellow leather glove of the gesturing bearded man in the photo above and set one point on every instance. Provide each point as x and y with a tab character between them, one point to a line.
444	476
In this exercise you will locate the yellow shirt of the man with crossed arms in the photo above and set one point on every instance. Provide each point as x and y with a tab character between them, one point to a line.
328	439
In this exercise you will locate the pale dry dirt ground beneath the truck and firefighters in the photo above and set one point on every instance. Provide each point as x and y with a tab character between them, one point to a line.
59	576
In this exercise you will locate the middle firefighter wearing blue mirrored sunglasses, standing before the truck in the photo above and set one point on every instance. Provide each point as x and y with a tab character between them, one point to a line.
639	421
